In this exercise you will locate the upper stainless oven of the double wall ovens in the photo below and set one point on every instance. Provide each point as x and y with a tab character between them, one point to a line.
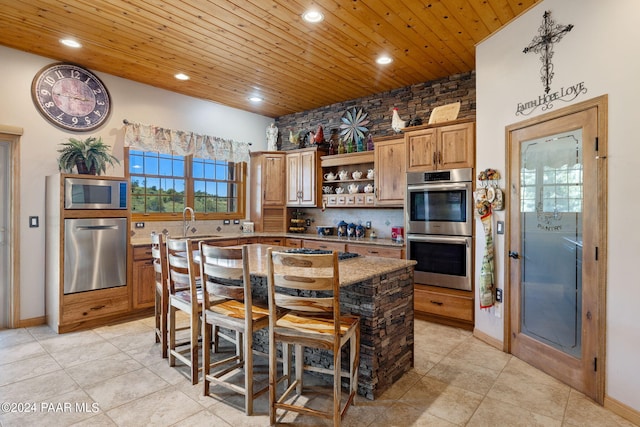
440	208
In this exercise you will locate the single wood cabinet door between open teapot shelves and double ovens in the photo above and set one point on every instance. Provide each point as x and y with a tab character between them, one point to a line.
390	176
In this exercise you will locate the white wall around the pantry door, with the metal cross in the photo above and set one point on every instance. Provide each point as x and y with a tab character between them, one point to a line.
600	51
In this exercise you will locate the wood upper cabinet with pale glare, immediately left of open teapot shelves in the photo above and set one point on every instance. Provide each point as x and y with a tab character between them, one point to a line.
302	177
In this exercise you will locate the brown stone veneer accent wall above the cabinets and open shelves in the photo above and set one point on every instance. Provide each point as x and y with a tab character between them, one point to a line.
412	101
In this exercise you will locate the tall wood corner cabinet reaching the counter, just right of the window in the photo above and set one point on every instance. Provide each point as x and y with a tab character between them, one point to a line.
267	208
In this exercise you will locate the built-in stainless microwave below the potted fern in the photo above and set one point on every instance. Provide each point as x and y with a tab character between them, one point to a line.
88	193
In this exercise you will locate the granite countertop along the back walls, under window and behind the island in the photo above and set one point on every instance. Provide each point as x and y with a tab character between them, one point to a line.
146	239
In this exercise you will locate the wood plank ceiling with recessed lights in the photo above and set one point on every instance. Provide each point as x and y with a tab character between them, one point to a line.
236	48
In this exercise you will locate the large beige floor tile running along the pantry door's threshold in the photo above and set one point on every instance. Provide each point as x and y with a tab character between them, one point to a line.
524	386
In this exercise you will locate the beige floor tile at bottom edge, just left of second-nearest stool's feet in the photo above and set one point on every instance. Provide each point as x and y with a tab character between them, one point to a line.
175	405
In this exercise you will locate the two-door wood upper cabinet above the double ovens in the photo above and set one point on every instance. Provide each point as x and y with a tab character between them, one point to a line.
448	146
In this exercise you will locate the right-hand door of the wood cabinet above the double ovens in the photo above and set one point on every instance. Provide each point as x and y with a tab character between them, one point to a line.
456	146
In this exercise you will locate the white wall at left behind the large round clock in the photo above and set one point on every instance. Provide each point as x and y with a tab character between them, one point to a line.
38	146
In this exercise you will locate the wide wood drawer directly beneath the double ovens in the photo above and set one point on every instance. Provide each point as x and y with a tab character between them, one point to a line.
442	304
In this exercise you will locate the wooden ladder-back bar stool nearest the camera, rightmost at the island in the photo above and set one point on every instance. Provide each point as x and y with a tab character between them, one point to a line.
314	321
